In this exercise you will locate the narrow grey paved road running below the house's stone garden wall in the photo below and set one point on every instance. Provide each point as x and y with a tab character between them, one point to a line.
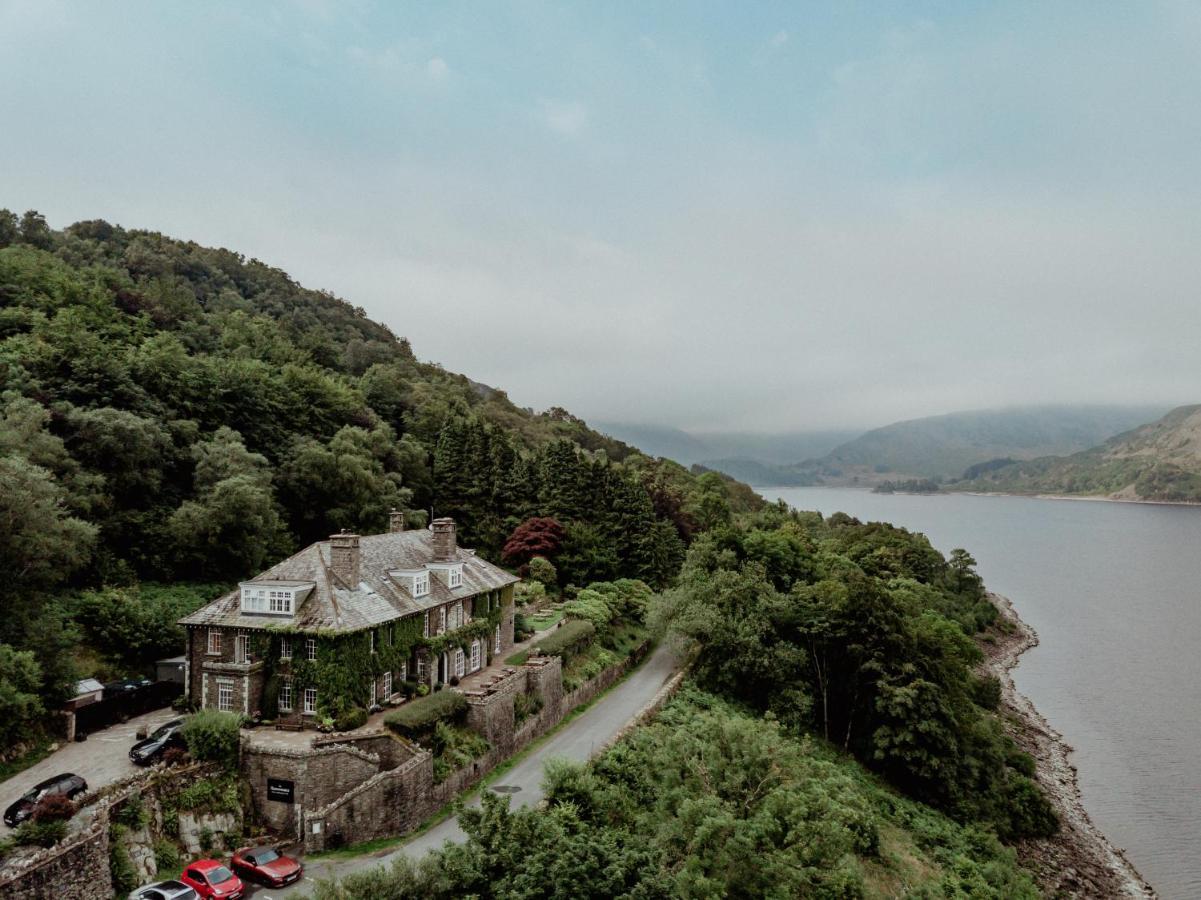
578	741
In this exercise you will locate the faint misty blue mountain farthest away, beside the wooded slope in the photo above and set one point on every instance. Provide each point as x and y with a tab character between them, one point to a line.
727	451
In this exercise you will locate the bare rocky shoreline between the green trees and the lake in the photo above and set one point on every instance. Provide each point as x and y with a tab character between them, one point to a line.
1080	861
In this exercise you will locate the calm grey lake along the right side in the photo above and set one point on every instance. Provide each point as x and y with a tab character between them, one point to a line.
1115	593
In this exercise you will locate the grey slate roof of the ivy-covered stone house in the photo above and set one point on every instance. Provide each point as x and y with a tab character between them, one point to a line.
332	606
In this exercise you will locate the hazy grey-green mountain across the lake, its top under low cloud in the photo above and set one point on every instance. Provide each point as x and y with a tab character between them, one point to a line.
942	448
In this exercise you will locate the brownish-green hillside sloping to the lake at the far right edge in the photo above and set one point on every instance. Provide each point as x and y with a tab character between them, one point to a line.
1161	461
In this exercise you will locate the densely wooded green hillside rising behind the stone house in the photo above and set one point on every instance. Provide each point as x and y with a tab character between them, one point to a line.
176	418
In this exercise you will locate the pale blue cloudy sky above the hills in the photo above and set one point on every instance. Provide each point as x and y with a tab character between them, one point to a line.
714	217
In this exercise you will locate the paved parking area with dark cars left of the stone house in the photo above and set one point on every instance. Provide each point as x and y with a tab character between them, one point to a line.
101	760
